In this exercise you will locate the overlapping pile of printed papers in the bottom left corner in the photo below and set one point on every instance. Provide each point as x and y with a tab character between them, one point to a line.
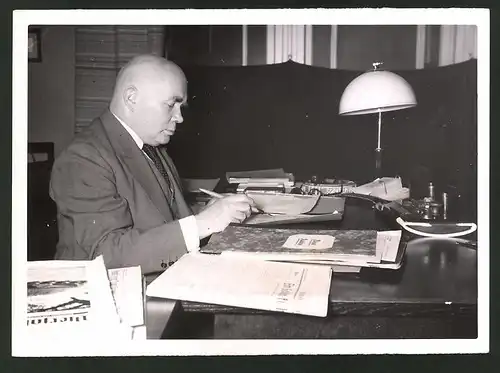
76	300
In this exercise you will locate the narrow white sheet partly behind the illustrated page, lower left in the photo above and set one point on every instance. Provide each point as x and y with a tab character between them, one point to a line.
126	285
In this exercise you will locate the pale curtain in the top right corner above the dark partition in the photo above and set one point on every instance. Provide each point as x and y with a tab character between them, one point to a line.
458	43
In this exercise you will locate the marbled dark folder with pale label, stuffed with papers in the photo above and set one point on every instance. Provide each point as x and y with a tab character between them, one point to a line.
344	250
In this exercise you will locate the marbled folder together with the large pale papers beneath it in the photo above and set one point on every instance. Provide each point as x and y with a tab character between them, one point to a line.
281	270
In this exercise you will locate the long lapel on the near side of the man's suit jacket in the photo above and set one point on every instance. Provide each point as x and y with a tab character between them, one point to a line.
134	158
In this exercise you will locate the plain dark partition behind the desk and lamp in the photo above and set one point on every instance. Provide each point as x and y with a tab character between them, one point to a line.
286	115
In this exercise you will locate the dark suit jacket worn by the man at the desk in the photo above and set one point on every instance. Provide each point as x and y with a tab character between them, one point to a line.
111	201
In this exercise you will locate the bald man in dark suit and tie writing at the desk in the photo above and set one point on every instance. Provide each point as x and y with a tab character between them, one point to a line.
118	194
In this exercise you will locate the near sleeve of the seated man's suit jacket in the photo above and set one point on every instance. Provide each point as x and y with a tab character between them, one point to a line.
96	220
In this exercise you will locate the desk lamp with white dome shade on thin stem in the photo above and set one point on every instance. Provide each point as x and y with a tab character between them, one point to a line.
377	91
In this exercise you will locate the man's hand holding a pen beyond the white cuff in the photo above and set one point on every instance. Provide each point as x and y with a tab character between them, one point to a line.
216	217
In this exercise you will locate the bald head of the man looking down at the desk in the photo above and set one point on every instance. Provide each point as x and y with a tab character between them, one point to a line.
148	96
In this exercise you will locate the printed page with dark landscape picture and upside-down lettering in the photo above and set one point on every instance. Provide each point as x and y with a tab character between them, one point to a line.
72	299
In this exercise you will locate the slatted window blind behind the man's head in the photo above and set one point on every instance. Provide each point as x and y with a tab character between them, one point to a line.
100	53
